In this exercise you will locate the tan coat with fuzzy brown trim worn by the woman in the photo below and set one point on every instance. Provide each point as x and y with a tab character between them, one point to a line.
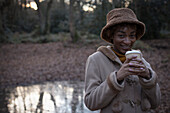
103	92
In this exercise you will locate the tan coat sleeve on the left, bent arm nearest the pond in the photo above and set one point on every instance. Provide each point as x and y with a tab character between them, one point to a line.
98	93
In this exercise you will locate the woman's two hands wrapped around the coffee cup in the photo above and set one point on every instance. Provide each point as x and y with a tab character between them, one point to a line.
133	66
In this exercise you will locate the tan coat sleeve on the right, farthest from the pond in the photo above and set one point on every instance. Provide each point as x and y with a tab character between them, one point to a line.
151	88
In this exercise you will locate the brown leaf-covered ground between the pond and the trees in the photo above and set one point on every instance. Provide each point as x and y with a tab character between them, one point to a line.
23	64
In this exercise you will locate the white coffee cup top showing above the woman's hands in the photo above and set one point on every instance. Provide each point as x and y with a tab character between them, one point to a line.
137	53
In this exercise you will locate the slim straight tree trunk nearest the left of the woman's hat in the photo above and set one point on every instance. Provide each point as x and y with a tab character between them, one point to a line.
72	22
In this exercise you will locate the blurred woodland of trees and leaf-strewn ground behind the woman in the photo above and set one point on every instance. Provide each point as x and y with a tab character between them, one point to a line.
49	40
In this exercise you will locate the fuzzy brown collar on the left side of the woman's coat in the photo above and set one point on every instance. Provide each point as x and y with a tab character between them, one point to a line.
107	51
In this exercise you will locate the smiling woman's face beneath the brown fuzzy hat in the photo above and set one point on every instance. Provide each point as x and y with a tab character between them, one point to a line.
124	38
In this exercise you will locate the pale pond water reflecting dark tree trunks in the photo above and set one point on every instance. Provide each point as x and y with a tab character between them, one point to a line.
50	97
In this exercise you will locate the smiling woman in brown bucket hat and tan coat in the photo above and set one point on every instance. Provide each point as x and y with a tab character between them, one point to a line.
114	84
